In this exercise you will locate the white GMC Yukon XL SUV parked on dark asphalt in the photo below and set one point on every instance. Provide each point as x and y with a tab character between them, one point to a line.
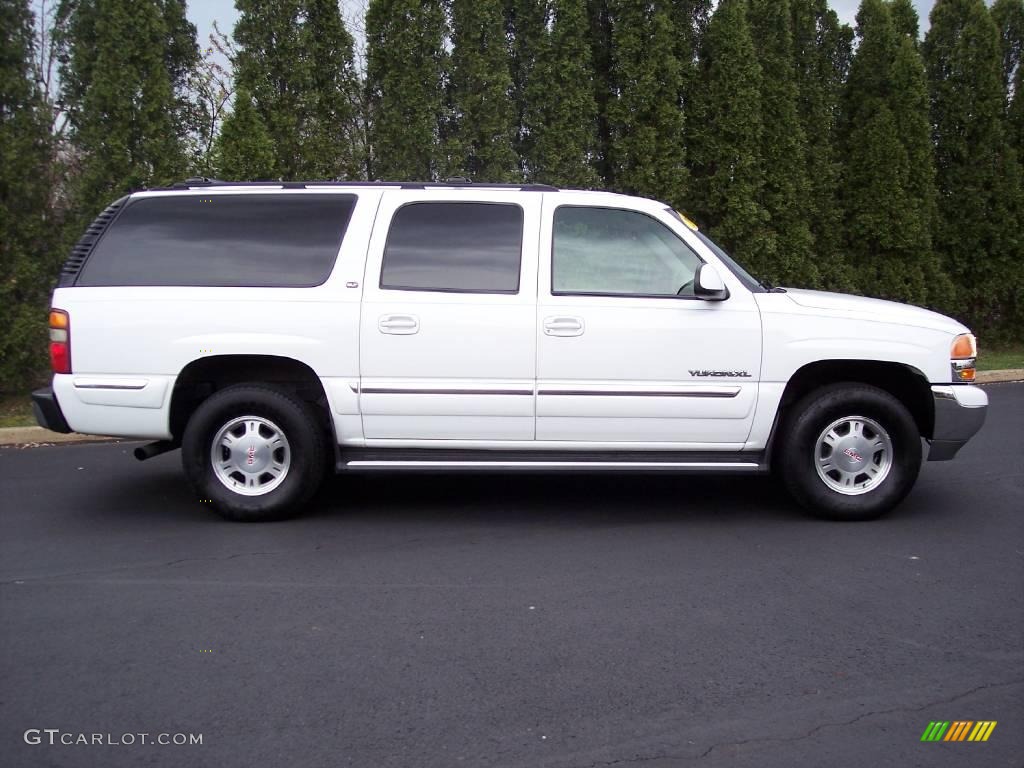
277	331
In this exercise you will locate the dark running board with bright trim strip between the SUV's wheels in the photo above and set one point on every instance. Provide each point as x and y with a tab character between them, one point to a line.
547	461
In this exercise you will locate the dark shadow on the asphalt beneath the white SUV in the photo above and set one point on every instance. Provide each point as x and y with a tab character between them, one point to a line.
161	492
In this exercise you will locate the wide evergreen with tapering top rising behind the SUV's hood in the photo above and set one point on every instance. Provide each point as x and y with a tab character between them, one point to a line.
888	184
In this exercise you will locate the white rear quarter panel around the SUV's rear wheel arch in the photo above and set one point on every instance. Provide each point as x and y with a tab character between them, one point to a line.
132	335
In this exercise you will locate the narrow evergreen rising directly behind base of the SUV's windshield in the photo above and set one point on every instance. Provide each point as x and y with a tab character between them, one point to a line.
786	194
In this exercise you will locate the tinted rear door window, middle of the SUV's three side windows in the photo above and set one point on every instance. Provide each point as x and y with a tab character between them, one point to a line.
455	248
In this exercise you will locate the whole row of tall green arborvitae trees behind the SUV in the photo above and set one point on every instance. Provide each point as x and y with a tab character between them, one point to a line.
818	165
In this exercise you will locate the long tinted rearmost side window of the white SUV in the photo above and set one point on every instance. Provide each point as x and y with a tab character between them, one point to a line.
223	240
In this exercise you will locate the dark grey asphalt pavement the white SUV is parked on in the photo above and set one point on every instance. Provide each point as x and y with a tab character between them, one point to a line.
546	622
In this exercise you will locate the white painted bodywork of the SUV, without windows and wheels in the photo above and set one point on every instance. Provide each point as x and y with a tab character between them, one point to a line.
532	371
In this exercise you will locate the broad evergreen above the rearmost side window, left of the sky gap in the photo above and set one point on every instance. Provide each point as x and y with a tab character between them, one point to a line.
295	59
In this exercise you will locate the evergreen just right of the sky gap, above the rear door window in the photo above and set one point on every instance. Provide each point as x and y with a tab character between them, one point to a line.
406	64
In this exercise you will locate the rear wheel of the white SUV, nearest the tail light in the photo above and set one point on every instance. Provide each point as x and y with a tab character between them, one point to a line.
279	460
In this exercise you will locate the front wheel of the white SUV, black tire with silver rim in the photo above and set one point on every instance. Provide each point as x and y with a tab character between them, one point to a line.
840	472
